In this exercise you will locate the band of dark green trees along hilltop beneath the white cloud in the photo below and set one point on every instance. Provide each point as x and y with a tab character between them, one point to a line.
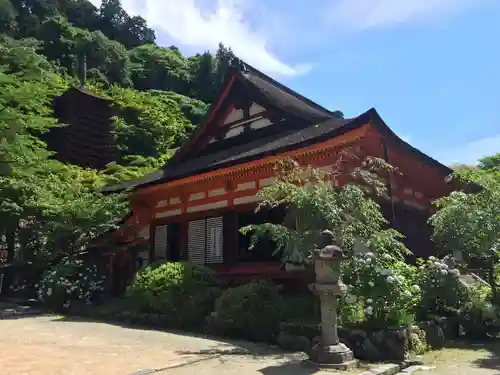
120	48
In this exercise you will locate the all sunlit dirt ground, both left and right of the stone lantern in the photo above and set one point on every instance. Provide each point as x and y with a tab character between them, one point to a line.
51	345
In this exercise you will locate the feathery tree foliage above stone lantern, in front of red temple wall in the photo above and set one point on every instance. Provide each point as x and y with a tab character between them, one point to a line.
314	204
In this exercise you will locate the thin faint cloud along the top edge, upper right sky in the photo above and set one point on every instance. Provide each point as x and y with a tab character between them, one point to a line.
364	14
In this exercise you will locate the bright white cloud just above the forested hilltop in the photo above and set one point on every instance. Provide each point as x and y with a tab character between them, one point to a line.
193	23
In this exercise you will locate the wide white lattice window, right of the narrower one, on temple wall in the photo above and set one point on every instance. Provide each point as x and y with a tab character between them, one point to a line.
205	241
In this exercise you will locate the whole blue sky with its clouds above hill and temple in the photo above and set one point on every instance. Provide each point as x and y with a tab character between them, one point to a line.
430	67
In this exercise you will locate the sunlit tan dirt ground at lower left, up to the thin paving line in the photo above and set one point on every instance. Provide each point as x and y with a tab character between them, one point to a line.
54	345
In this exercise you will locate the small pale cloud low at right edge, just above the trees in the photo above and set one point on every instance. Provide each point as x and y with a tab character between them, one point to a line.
471	152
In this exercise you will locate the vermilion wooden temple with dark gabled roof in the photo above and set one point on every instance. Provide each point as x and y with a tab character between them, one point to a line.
193	207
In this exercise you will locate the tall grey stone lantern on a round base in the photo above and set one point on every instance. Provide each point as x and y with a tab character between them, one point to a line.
330	352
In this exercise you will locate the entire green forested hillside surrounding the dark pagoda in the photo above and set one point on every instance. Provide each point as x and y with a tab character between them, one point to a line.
47	207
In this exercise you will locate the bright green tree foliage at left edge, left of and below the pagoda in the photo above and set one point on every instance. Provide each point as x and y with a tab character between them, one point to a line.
46	208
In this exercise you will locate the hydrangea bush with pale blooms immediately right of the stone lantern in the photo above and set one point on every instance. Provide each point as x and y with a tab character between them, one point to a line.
384	287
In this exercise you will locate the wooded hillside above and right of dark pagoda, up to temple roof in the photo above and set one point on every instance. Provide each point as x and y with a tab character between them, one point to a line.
160	92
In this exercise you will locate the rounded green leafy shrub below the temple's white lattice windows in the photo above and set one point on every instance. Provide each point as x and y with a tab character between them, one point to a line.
182	291
